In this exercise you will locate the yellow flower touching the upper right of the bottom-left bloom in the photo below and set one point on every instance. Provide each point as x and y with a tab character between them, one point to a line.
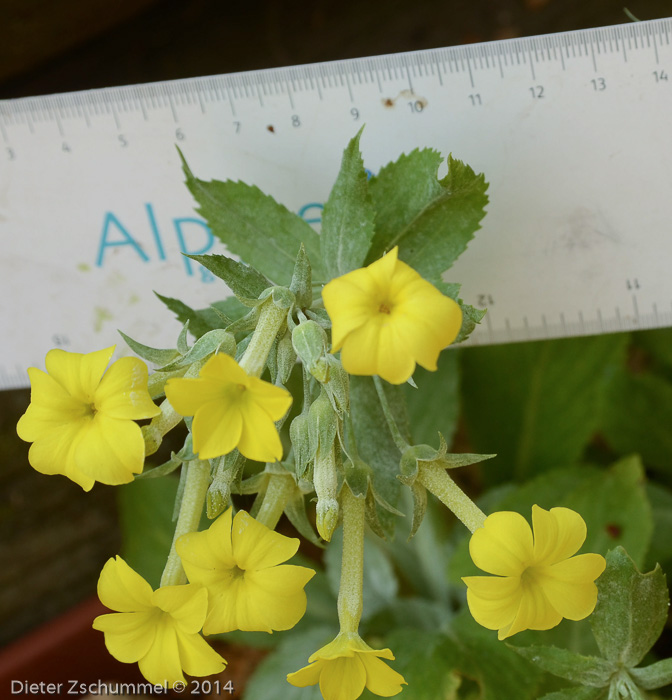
237	560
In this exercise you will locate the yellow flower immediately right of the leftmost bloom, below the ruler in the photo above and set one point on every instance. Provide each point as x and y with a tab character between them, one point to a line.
231	409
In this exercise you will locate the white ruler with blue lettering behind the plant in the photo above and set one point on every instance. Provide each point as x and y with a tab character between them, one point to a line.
572	131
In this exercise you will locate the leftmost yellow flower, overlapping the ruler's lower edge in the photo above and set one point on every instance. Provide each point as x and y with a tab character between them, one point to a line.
80	418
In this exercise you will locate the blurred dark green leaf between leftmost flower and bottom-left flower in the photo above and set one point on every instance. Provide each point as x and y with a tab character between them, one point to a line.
146	510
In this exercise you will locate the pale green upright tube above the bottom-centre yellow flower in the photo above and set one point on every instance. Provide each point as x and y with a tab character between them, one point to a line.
352	562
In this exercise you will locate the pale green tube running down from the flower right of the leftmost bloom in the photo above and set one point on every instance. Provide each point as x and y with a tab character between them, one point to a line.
191	508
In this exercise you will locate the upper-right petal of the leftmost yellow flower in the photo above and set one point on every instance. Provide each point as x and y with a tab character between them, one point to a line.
122	392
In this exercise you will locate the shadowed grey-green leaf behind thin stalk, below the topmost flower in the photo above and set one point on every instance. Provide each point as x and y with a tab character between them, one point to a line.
374	442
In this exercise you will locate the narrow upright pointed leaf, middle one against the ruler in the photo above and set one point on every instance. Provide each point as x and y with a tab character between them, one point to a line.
347	220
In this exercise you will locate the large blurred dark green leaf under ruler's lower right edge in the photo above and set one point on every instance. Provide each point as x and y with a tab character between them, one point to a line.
536	404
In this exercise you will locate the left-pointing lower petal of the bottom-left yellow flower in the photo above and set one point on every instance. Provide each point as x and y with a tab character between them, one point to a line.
128	636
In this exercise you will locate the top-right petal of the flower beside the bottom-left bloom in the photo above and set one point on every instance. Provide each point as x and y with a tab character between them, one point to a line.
257	547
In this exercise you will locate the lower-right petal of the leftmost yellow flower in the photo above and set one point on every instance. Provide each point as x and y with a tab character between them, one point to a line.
110	450
